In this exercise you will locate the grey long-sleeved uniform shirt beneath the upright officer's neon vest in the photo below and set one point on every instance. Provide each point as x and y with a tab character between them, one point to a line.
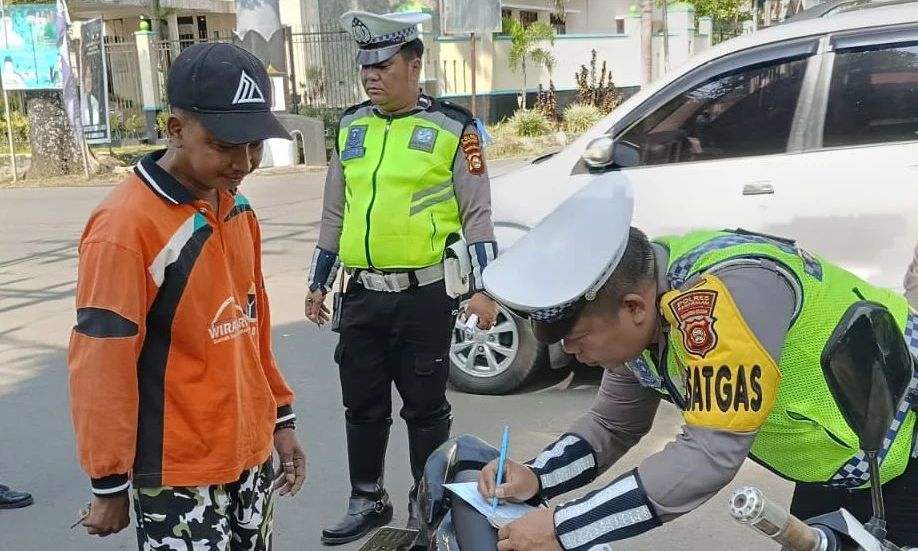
473	193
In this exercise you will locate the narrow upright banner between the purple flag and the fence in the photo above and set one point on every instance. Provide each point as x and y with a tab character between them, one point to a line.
94	84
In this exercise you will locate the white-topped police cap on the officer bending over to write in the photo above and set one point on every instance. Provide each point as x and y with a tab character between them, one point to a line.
553	271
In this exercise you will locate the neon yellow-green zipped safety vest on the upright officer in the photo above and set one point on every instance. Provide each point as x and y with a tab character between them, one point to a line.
400	203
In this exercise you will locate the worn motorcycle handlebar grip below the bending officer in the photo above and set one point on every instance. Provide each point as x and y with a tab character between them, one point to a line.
750	506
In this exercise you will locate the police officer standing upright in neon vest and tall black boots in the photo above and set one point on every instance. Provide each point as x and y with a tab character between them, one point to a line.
407	177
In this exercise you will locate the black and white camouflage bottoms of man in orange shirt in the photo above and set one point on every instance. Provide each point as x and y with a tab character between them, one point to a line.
225	517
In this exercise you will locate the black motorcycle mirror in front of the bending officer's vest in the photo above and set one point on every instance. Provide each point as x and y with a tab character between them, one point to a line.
868	367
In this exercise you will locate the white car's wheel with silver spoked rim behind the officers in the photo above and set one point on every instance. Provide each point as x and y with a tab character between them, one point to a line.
495	361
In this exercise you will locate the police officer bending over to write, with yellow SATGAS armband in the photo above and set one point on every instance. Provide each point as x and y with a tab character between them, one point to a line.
729	327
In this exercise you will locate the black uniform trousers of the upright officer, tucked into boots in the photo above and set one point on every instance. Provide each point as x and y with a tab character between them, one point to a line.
400	338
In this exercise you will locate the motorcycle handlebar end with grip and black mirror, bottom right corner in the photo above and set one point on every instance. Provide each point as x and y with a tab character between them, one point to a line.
867	366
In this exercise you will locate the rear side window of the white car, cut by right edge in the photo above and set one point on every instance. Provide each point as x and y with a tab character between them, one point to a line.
873	97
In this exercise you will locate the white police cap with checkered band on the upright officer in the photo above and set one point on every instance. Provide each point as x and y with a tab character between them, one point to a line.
380	37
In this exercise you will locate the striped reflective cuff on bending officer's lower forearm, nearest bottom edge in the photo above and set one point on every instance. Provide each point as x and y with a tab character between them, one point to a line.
618	511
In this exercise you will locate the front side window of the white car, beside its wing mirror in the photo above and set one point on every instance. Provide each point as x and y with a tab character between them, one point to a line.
741	113
